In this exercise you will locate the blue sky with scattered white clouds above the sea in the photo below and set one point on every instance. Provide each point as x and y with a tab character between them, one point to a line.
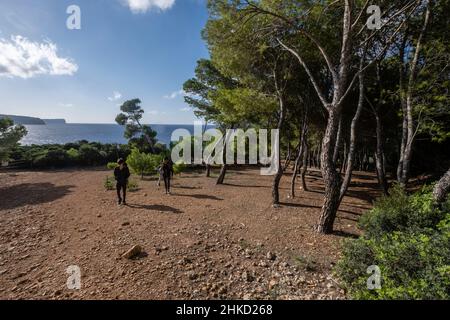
125	49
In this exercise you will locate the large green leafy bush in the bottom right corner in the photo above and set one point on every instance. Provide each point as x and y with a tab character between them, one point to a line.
408	238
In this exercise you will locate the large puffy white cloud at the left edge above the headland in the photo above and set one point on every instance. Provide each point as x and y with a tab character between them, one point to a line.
20	57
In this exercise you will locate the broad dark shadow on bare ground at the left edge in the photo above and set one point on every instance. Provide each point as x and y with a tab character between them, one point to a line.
20	195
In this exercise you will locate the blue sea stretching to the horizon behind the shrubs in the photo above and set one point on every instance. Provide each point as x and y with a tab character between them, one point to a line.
103	133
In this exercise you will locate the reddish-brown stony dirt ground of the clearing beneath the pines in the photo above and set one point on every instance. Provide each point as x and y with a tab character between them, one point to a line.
204	241
